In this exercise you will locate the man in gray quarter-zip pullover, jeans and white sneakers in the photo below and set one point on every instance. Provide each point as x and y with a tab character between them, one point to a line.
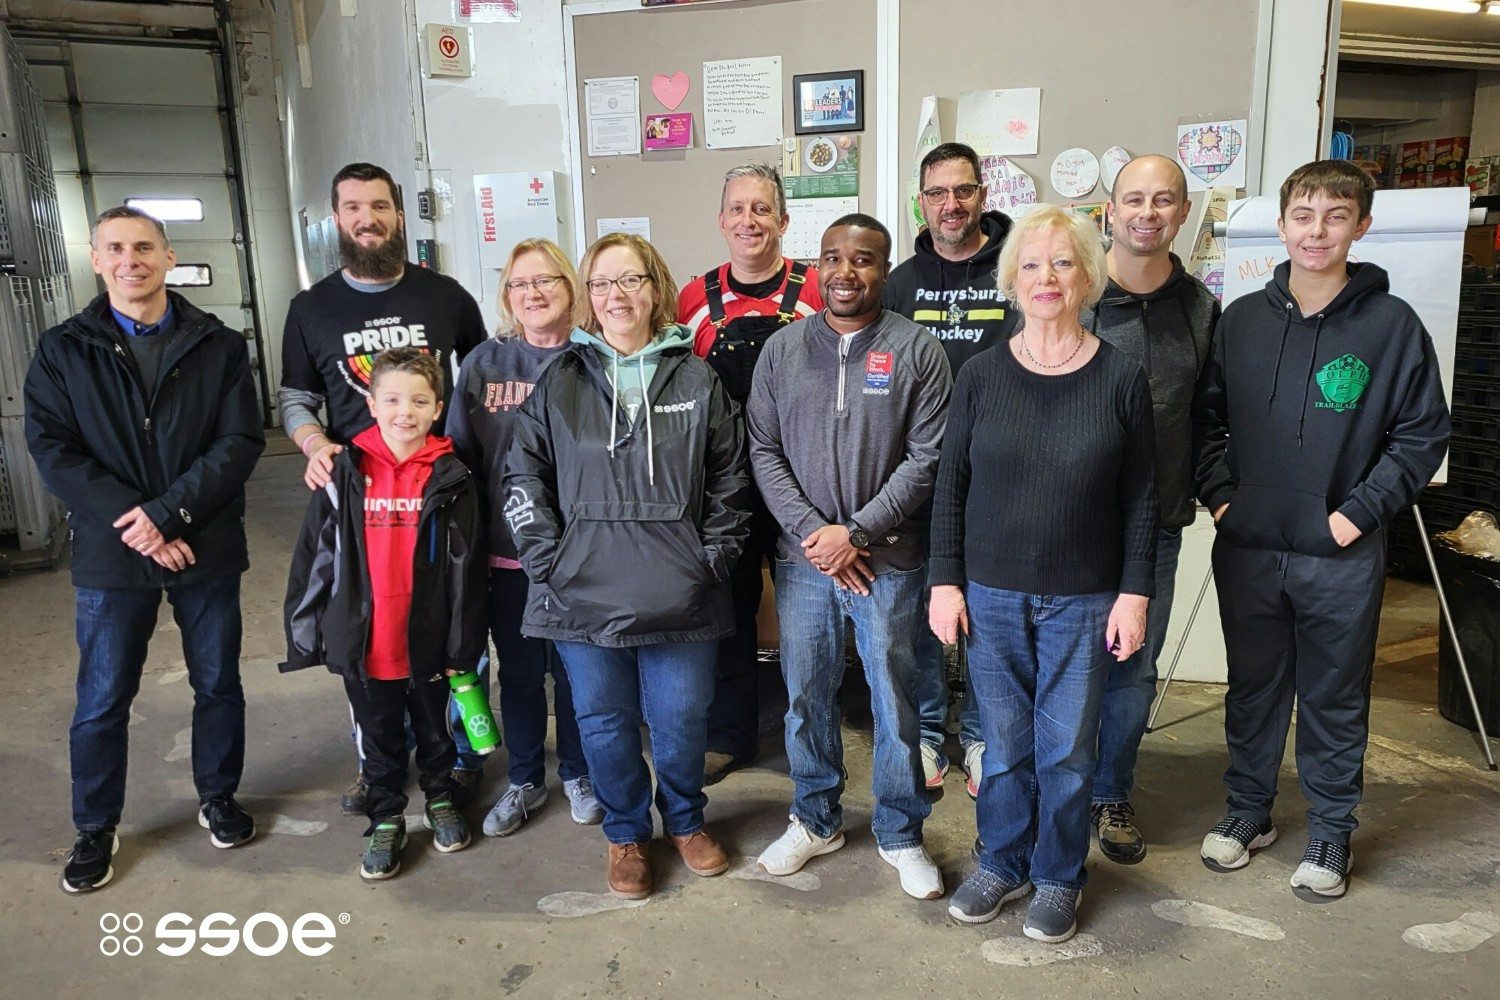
847	415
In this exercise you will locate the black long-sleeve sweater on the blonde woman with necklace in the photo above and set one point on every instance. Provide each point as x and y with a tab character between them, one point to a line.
1048	482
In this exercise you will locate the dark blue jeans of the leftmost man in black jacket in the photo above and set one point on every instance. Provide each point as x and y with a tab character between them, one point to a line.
115	629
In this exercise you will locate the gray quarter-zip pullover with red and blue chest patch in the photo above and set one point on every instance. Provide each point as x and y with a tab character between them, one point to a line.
850	428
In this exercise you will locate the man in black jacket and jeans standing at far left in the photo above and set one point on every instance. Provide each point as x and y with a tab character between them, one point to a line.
142	416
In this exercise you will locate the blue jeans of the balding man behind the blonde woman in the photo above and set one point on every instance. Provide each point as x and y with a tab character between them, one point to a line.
1133	684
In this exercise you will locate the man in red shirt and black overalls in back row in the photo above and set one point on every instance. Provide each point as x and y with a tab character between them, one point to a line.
733	311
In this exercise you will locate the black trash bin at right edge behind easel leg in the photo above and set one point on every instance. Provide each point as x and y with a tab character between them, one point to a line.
1474	596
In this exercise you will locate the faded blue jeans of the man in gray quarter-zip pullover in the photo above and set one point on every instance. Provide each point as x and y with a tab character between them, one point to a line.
814	611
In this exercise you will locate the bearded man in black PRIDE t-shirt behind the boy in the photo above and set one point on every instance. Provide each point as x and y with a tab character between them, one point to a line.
337	328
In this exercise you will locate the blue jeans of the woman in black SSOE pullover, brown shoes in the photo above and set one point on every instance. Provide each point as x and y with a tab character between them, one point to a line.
670	686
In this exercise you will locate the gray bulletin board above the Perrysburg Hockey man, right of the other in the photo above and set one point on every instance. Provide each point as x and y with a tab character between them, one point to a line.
1111	74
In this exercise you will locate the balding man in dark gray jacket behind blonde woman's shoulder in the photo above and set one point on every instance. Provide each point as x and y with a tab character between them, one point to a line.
1163	319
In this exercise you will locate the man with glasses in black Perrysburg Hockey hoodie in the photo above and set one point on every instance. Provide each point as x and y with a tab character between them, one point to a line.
949	287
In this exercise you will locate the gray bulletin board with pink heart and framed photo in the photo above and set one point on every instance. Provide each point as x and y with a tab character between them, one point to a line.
679	190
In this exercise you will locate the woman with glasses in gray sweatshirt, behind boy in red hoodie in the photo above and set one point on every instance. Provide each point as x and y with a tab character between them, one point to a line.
539	290
